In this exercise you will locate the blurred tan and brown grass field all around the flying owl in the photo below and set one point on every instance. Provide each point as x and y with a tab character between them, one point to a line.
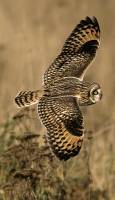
31	35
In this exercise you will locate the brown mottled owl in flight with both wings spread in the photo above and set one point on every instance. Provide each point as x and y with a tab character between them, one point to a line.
65	90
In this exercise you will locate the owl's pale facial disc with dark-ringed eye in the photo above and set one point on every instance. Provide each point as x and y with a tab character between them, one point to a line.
95	93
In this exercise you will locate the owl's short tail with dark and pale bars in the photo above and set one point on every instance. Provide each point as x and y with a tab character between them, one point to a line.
28	98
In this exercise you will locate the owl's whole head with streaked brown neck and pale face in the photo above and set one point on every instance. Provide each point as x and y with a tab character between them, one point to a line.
90	94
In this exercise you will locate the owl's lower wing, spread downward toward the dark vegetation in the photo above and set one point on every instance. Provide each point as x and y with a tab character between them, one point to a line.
64	122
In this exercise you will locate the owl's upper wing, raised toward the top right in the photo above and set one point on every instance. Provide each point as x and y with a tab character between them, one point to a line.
77	52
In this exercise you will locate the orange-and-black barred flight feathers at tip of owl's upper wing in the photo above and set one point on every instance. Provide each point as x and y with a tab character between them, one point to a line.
85	31
